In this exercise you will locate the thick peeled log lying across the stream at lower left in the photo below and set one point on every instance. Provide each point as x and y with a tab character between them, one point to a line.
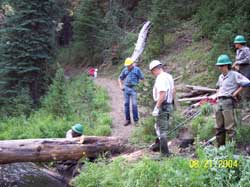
39	150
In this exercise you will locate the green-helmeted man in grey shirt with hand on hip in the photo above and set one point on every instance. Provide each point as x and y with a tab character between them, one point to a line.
229	85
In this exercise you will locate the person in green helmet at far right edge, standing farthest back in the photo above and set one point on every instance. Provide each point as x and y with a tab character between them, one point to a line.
242	65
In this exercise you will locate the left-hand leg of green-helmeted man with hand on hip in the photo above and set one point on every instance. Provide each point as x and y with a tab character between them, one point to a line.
220	130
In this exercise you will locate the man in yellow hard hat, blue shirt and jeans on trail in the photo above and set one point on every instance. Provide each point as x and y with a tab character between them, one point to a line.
128	80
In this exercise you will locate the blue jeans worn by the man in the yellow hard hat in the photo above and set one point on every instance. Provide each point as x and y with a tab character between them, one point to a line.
130	93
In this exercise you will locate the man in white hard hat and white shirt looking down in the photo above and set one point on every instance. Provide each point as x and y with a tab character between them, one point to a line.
163	96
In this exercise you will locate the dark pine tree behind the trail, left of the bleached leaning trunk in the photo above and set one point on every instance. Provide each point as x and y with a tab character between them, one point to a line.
88	28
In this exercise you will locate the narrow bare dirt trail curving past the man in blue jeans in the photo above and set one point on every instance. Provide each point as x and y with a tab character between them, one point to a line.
117	114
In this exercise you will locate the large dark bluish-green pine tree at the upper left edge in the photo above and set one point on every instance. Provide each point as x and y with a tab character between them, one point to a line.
27	48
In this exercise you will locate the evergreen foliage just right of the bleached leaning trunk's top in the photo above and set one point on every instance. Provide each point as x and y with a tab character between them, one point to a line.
166	16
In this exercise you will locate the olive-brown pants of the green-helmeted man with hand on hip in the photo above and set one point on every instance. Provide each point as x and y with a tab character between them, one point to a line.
225	121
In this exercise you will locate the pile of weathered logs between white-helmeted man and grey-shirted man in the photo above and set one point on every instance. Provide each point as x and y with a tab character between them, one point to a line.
195	94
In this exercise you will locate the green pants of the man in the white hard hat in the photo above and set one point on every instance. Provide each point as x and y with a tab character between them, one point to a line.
162	124
